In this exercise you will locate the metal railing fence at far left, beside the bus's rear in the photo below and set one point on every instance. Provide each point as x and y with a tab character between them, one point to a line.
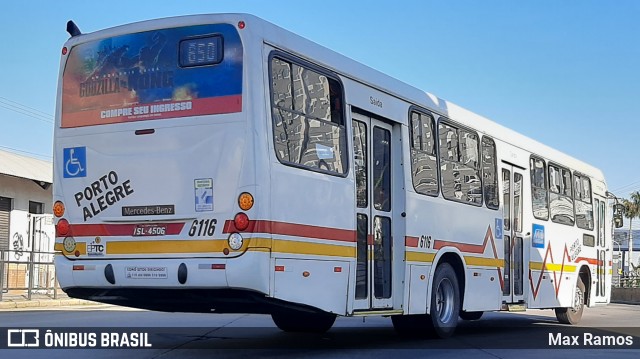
30	272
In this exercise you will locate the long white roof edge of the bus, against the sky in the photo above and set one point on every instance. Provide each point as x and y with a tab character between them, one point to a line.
272	34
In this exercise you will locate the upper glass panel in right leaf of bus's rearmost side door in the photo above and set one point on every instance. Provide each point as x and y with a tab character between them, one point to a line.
381	169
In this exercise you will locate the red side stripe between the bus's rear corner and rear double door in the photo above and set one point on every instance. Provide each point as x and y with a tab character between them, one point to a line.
293	229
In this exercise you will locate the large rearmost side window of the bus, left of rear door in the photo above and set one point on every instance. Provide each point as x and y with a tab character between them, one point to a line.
308	126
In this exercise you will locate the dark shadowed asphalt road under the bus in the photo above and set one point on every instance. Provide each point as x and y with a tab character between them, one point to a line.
533	334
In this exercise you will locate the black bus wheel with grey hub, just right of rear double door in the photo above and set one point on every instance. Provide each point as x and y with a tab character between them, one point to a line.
445	301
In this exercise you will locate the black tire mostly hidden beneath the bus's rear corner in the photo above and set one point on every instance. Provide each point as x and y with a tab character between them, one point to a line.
296	321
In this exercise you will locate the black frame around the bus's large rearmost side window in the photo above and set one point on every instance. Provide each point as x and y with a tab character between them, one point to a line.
344	146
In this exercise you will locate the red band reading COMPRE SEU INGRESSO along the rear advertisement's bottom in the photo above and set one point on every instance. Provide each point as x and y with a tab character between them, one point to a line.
199	107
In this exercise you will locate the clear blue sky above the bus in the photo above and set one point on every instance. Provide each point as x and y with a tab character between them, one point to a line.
566	73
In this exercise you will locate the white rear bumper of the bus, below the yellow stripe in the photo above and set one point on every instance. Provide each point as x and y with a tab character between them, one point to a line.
175	284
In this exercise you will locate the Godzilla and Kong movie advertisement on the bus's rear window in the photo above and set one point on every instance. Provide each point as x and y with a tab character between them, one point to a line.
168	73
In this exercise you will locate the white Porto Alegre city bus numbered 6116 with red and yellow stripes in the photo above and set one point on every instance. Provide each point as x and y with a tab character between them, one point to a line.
219	163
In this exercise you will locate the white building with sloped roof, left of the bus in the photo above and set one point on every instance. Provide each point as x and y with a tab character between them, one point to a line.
26	221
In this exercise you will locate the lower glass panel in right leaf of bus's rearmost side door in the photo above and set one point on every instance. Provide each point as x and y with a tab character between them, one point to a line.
382	257
